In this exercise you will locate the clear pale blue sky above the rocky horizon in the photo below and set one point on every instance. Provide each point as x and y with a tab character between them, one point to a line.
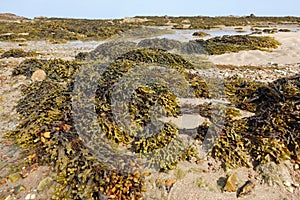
128	8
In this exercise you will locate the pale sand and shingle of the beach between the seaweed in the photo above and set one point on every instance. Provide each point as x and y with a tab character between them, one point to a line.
192	181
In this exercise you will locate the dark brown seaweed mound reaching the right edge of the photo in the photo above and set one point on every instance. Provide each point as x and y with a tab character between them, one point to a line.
272	134
